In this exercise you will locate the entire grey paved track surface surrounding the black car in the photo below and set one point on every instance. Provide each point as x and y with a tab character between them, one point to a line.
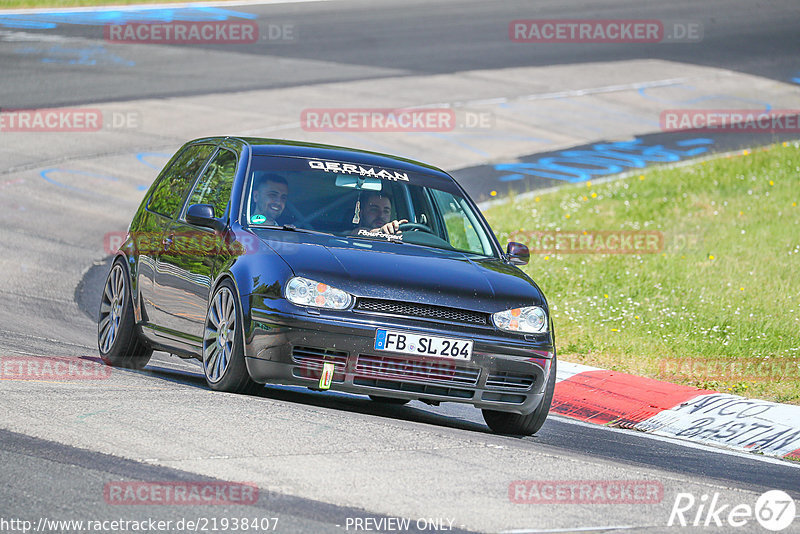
328	462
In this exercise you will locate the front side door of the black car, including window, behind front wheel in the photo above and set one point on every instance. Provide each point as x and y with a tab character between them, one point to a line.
186	271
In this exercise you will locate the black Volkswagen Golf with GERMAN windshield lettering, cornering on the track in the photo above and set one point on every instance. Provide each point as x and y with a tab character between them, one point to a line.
283	262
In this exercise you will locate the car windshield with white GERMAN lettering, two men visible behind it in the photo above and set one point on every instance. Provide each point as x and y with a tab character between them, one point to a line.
358	201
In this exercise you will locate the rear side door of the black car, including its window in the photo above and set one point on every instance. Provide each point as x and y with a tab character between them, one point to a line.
163	207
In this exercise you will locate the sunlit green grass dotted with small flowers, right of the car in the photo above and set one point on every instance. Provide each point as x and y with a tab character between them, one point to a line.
723	295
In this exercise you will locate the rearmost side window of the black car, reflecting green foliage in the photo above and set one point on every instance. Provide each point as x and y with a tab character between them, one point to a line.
174	183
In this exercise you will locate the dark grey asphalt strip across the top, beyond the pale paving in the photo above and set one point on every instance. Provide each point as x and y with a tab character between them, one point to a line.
341	41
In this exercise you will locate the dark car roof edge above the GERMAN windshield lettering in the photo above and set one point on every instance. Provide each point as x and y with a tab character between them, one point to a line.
283	147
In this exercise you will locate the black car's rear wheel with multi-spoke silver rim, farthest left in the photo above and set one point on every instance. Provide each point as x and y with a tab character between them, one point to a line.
117	339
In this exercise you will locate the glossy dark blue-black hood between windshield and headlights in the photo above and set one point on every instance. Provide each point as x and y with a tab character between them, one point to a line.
406	272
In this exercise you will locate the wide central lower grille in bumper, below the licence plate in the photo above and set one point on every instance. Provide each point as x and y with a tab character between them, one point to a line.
404	369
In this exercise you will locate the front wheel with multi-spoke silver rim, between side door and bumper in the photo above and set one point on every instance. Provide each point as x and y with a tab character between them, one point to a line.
223	347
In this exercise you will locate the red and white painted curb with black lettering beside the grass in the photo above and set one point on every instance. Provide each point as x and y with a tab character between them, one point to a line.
612	398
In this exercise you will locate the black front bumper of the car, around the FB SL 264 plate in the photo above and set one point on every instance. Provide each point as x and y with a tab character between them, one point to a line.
290	346
